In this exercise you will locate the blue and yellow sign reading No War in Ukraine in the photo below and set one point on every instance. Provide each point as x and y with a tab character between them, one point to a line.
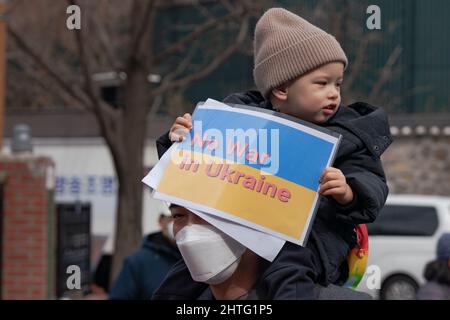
251	167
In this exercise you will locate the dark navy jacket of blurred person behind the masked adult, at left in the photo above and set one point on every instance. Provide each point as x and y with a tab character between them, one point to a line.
144	271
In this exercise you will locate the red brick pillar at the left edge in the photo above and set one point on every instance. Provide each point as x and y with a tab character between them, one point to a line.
27	267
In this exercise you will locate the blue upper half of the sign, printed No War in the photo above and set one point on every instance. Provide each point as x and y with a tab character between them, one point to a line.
303	155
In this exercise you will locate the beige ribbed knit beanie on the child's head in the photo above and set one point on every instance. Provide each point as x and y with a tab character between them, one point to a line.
287	46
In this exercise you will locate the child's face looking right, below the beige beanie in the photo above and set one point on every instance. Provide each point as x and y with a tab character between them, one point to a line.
315	96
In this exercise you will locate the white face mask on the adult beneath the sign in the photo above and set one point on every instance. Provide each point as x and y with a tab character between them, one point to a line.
210	255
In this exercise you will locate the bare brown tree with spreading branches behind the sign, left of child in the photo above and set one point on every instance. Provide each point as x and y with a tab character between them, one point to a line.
122	36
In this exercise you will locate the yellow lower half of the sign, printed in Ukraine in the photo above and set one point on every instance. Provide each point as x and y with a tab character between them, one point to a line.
242	191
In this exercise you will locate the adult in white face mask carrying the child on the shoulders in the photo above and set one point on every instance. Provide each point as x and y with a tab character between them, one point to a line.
247	281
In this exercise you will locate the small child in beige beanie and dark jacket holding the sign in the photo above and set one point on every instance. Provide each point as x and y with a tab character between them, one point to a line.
298	71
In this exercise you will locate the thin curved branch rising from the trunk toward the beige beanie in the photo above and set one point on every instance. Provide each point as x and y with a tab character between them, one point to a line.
183	82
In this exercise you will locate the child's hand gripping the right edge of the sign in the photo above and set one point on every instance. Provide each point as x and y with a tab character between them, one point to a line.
333	183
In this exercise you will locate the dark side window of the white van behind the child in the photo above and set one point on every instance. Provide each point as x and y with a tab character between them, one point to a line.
399	220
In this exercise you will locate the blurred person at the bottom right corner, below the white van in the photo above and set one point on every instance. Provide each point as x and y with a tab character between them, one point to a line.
437	273
